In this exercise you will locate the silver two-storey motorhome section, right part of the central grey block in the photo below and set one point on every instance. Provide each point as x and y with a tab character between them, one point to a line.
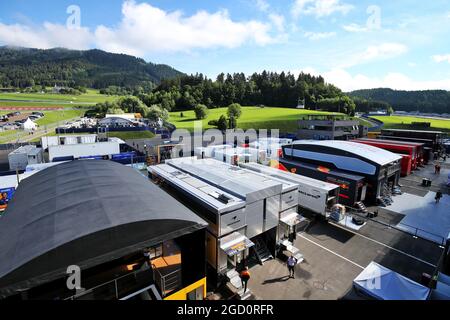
266	198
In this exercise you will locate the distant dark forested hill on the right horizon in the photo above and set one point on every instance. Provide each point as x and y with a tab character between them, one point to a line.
431	101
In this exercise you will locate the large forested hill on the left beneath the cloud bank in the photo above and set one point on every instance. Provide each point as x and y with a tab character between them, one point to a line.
23	67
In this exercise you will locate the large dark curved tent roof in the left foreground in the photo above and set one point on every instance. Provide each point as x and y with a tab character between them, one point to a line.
84	213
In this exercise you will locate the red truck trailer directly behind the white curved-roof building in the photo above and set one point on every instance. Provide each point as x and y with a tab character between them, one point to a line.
398	149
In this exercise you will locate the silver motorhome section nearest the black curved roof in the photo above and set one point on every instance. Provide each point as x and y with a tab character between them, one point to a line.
224	213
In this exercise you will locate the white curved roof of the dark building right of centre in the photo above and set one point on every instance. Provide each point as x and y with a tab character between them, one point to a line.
374	154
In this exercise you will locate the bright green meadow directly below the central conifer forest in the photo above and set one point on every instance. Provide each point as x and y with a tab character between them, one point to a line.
284	119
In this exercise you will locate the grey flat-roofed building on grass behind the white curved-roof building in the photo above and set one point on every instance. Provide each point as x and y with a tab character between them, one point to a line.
329	128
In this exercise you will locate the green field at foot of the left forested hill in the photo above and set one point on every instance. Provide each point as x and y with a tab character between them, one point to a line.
91	97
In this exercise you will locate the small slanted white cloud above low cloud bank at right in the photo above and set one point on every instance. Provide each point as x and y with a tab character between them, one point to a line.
375	52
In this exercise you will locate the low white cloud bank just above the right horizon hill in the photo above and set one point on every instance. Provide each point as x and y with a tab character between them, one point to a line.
348	82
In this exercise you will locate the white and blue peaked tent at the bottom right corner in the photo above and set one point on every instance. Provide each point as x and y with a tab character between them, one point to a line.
384	284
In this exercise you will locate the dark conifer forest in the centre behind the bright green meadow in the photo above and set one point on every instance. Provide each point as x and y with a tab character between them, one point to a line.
266	88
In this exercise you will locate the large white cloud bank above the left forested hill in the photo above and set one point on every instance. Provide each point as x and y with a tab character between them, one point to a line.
145	28
